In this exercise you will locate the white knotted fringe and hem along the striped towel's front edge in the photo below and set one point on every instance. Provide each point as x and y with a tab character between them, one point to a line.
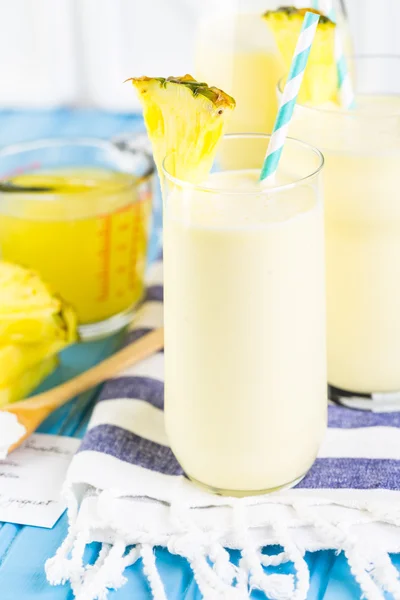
296	526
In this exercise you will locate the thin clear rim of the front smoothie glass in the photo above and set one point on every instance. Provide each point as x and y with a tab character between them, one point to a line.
267	190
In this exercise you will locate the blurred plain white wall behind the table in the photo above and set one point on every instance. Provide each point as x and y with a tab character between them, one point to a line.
78	52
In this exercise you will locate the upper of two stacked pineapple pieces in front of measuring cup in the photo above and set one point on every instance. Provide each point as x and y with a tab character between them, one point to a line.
29	311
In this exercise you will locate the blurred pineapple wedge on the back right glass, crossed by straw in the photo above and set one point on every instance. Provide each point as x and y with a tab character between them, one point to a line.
320	82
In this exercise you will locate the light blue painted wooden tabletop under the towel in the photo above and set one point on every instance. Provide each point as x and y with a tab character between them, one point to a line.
23	550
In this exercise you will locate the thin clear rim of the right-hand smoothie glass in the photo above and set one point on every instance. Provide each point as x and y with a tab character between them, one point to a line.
354	113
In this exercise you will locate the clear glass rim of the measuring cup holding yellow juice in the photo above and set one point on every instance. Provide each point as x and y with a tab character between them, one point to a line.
106	145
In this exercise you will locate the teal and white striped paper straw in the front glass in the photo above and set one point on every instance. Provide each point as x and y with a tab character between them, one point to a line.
289	96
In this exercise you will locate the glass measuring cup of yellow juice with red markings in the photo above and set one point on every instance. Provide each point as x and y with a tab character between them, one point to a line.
86	234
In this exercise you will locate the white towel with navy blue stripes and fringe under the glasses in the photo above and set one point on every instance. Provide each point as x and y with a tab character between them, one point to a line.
126	490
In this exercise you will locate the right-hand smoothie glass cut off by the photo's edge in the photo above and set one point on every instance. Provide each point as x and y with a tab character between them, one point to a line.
362	207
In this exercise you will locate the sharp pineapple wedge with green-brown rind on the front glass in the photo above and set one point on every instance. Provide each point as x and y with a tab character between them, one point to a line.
185	119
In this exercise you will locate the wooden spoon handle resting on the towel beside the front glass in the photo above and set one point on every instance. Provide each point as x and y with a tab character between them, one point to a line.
131	354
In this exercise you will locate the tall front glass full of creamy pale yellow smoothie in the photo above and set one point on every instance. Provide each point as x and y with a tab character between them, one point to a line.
245	360
